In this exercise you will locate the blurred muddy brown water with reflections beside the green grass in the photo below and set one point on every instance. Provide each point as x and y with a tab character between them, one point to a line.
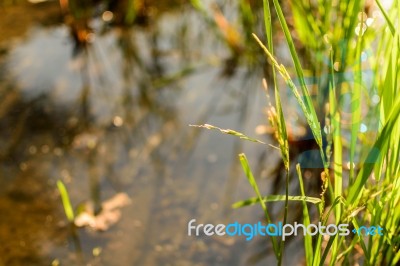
113	117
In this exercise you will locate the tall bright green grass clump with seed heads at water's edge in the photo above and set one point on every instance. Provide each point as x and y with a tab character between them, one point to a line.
368	191
